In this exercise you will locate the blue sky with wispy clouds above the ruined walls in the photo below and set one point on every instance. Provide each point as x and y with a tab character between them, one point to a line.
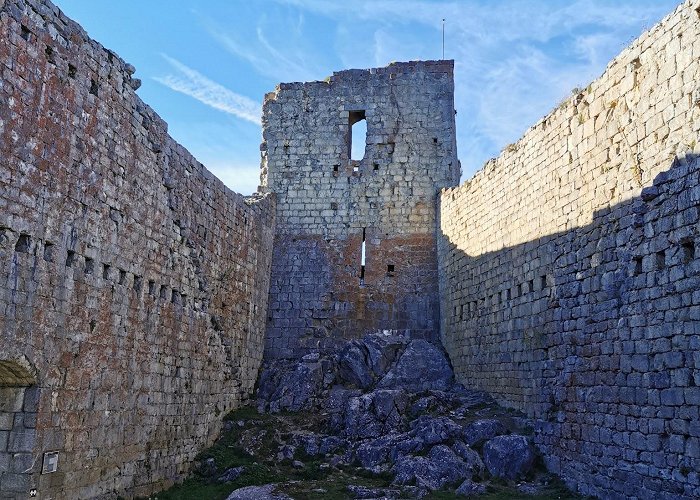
206	65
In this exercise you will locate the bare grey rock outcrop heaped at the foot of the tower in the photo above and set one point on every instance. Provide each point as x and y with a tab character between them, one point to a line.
391	405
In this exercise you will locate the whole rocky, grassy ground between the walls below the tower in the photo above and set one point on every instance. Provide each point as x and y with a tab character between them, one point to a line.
382	419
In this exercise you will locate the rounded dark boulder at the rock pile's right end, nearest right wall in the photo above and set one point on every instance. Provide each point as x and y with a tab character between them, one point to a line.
508	457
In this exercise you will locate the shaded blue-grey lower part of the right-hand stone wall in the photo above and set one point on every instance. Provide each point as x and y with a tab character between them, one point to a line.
595	333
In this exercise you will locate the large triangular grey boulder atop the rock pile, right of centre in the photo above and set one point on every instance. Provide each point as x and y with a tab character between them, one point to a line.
421	367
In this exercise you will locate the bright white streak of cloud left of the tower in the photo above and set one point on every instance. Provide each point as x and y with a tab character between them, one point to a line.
192	83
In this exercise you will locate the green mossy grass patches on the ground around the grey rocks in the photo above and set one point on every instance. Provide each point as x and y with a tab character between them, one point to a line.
315	481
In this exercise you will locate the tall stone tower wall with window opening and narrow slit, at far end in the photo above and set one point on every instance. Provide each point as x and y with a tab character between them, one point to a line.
328	203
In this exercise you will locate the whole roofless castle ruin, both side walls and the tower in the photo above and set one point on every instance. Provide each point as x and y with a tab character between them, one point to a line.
138	295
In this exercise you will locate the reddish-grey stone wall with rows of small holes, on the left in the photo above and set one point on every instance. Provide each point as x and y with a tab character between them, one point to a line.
132	281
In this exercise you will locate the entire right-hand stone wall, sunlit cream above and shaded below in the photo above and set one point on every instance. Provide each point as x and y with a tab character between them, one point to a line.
570	292
